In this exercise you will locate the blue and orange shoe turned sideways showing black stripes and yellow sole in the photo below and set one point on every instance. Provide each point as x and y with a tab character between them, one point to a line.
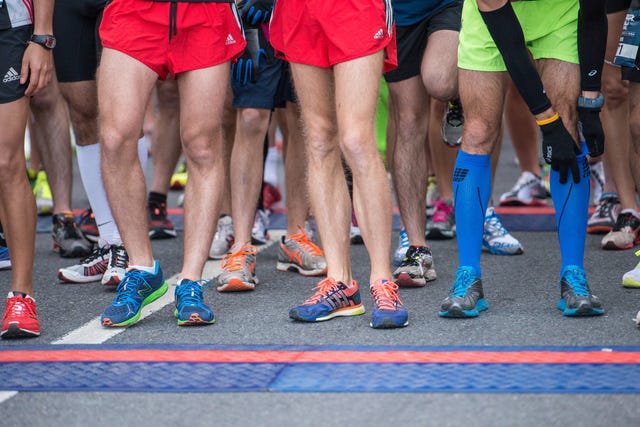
330	299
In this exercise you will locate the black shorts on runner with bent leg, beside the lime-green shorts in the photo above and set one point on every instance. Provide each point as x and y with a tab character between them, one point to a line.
412	40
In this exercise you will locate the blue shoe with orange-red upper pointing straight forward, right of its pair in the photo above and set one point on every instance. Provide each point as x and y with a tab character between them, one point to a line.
388	311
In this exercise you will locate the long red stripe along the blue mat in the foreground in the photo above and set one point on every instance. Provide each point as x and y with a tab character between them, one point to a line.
221	356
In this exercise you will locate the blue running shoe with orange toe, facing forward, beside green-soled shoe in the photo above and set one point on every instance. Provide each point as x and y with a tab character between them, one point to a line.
190	310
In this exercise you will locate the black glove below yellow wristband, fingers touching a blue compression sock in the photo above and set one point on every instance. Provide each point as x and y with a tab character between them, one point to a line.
559	150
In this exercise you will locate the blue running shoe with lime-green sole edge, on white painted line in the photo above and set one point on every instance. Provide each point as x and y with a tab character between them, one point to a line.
137	289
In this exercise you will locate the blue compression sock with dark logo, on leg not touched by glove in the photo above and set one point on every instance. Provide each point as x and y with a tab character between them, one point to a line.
471	192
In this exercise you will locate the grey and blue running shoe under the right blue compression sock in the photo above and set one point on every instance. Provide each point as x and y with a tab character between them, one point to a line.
575	297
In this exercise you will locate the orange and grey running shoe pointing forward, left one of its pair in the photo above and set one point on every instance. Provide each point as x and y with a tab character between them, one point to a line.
238	269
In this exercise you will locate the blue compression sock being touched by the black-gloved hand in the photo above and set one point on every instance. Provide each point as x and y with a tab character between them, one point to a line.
571	202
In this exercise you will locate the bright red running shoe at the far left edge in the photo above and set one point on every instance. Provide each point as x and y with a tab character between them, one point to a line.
20	318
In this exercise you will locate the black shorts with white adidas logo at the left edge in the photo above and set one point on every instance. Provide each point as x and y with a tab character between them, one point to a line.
13	42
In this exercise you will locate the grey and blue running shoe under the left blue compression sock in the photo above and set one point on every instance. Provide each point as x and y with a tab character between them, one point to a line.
466	298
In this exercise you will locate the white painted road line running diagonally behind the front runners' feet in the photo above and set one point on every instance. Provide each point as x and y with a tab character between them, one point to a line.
92	332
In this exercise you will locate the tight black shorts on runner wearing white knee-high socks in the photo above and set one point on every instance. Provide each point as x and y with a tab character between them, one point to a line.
75	25
